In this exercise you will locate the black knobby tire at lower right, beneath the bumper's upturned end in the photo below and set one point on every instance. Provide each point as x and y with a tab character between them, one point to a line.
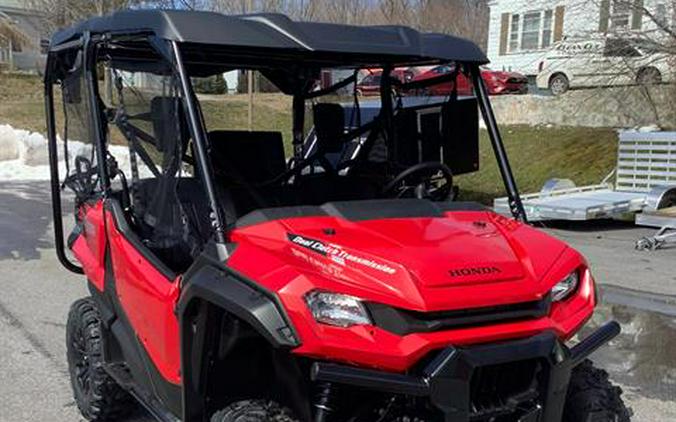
591	397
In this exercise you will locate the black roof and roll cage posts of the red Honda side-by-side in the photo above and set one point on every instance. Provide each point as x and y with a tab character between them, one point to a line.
281	49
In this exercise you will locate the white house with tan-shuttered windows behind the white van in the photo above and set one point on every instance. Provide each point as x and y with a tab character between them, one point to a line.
521	31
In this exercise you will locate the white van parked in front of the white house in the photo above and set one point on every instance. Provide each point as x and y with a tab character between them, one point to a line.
603	61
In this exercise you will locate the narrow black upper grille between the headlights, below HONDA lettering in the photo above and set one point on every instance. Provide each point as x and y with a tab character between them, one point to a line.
402	322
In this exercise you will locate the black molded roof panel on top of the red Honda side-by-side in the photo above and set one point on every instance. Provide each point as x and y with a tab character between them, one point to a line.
274	31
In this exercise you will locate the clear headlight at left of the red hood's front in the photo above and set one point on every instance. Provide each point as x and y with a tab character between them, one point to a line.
337	309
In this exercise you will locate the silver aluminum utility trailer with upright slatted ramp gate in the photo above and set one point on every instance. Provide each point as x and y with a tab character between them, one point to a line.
644	180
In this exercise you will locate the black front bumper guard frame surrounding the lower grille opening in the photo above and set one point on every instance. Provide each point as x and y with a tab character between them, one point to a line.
446	379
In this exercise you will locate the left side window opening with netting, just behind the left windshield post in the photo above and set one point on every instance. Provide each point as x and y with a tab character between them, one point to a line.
150	138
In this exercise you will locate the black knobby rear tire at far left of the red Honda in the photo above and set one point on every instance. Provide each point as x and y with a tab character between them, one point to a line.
97	395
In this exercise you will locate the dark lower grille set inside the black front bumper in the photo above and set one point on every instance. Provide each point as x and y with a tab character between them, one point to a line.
502	389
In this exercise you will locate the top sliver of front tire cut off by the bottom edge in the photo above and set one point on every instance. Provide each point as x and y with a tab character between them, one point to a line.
254	411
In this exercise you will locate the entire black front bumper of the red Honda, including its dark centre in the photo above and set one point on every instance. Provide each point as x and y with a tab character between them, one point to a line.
456	377
